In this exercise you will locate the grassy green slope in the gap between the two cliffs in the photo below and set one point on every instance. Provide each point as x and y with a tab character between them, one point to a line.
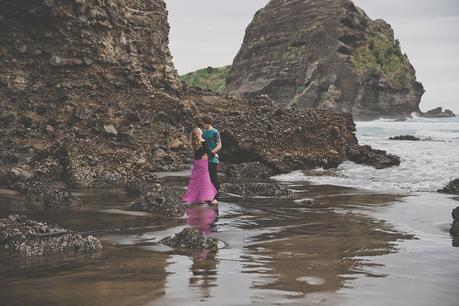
209	78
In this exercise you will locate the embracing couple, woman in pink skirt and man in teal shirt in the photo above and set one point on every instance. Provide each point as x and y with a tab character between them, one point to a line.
203	185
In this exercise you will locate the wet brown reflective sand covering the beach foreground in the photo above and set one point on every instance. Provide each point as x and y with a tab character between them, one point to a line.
348	247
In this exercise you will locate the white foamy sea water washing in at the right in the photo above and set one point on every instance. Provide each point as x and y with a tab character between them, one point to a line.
426	165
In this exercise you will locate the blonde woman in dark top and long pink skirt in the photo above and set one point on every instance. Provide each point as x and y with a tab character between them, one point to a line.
200	188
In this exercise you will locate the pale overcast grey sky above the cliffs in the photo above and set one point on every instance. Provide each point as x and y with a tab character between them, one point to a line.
210	32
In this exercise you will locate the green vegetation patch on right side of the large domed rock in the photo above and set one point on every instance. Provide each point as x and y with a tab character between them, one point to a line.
383	56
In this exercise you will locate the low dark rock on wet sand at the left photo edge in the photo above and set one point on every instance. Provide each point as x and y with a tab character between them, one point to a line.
24	237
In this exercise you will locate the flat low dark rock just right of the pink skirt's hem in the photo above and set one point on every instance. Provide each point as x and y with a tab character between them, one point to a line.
256	189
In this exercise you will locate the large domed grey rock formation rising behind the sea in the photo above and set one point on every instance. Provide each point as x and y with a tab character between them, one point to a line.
325	54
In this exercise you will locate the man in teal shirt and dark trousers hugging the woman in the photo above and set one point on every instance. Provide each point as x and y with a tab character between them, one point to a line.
214	142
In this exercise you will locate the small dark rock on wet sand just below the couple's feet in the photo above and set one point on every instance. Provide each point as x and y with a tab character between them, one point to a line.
190	239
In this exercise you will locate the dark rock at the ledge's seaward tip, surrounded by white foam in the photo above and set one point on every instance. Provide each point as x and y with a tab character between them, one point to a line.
376	158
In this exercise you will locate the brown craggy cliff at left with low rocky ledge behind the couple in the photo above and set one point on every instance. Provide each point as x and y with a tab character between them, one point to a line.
88	90
